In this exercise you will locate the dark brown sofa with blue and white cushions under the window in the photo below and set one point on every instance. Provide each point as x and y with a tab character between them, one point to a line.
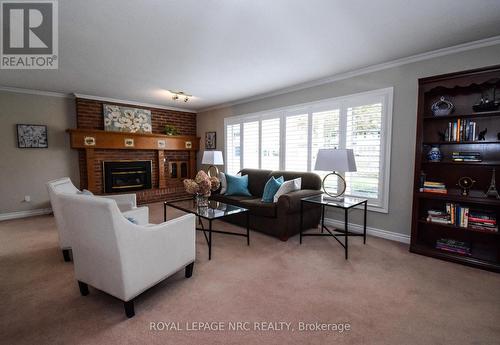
281	219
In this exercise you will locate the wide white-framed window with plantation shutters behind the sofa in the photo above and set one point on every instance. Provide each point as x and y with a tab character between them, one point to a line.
289	139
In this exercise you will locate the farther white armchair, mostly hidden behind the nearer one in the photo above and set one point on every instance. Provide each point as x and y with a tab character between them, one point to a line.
126	203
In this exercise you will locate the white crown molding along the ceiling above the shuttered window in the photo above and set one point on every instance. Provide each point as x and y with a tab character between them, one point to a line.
365	70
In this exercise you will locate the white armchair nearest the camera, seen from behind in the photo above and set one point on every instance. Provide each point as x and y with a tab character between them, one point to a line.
121	258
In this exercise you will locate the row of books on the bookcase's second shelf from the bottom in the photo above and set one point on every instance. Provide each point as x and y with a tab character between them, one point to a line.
463	217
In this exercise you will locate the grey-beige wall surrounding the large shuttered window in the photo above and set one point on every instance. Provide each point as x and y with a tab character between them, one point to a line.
404	79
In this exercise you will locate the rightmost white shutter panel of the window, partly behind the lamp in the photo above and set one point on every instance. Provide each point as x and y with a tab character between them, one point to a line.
364	125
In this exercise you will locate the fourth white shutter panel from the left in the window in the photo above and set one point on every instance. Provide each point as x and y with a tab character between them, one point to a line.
296	142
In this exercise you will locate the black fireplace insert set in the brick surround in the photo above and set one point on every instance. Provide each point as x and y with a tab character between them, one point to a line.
125	176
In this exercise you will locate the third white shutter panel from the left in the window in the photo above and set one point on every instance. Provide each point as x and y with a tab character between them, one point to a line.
270	144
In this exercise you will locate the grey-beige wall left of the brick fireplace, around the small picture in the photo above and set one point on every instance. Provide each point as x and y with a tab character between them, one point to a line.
25	171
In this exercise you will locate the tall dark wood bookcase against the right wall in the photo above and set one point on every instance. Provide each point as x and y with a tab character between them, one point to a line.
463	89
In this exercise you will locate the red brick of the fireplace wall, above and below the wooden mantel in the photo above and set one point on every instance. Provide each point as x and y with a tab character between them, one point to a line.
90	116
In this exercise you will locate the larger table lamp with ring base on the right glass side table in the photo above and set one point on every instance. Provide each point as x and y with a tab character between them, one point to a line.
335	160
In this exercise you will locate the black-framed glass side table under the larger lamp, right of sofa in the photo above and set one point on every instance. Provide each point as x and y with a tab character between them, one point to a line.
346	204
